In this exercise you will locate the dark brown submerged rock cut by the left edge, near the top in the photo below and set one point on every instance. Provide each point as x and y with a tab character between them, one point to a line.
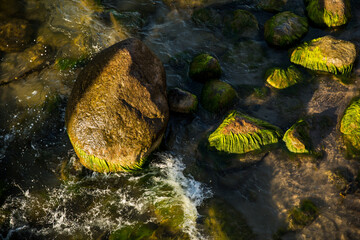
15	35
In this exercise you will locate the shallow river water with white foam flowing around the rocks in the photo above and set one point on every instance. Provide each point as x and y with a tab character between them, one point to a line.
45	194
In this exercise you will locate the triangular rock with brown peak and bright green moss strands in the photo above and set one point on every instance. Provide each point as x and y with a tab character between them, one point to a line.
240	133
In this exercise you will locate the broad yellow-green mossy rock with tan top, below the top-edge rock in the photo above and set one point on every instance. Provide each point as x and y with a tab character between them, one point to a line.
326	54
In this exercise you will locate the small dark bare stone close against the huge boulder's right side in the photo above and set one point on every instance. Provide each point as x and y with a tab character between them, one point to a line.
182	101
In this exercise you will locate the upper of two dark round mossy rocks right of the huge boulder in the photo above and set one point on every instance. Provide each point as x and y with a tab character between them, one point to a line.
204	67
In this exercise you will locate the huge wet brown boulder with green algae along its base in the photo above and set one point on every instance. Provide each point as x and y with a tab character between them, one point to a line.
118	111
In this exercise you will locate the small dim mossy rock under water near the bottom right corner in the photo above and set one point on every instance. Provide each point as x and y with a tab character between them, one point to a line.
302	215
